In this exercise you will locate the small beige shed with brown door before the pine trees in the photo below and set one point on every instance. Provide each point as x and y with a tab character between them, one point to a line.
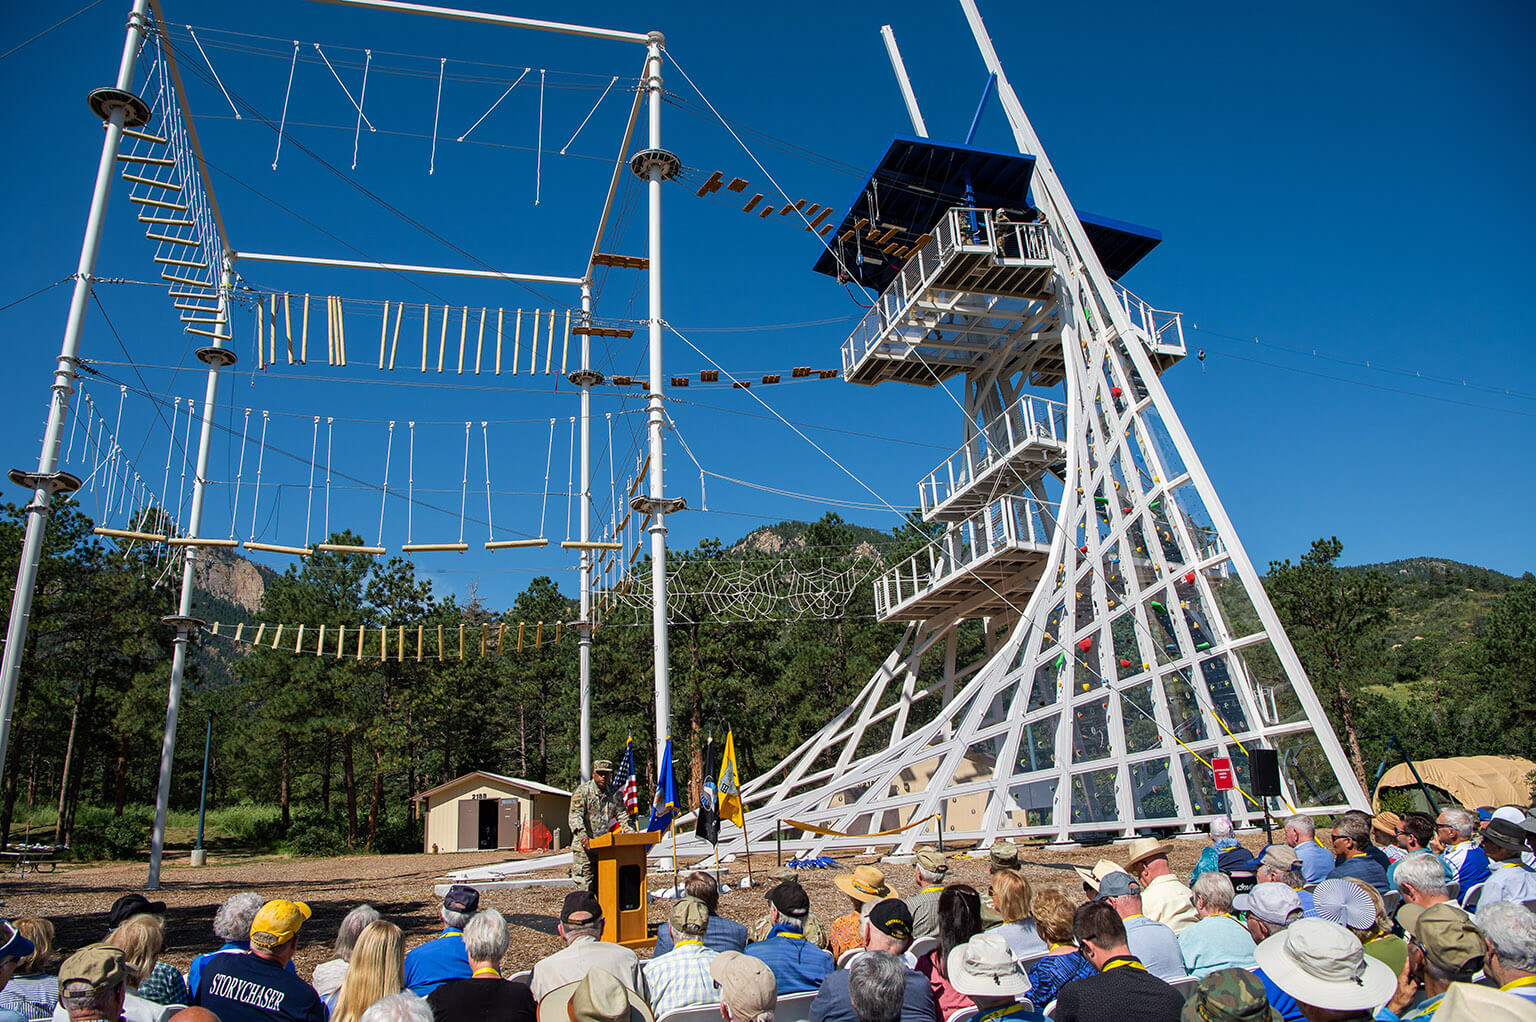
488	811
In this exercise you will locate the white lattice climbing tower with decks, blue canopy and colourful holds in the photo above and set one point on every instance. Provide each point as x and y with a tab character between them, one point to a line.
1087	631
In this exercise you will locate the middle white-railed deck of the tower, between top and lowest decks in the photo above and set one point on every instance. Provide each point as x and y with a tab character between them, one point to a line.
1008	454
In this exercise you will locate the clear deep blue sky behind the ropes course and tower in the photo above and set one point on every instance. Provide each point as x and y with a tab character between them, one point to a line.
1346	184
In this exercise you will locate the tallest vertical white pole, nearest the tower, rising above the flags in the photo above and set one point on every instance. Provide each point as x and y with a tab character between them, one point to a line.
658	419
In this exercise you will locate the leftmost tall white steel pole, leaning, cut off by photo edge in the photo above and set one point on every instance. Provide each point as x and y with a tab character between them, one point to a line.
64	387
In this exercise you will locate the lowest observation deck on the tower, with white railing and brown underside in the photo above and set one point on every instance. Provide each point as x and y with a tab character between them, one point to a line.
985	565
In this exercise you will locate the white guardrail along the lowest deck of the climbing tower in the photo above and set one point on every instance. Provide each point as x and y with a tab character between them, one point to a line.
1013	522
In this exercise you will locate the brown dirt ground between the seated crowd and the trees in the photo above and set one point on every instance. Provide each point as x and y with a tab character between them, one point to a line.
78	897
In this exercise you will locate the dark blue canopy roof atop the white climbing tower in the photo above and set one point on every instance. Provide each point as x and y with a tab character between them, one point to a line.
919	179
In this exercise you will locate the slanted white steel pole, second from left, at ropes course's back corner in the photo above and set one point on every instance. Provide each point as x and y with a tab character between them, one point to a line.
179	660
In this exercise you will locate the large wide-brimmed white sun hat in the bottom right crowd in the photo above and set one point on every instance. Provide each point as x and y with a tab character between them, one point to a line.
1326	971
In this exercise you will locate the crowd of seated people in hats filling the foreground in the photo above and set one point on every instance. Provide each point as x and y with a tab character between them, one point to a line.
1442	927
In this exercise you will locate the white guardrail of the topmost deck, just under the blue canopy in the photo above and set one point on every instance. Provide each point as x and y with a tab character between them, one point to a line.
962	230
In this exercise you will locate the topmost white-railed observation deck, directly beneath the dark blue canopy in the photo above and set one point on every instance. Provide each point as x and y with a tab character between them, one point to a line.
975	287
